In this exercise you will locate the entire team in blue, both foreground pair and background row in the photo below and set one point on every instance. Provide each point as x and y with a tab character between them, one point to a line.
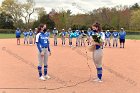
94	38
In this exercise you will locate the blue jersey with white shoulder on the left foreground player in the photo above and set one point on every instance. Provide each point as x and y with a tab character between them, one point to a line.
42	41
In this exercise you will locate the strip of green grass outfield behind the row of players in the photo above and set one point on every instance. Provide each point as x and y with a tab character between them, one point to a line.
4	36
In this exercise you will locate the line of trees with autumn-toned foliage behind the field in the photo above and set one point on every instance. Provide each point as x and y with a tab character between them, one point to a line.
15	14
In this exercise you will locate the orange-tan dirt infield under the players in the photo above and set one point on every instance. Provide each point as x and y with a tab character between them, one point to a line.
71	69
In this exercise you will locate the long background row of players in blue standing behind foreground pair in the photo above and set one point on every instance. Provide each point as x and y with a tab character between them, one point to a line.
81	37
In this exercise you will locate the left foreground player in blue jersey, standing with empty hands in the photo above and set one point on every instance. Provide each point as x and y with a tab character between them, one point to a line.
43	49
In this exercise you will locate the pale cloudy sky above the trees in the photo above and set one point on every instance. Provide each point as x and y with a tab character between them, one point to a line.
80	6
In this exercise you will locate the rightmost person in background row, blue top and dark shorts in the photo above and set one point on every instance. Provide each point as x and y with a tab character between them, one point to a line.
122	35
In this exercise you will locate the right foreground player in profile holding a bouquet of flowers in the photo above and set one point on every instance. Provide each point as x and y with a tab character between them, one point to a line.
98	53
